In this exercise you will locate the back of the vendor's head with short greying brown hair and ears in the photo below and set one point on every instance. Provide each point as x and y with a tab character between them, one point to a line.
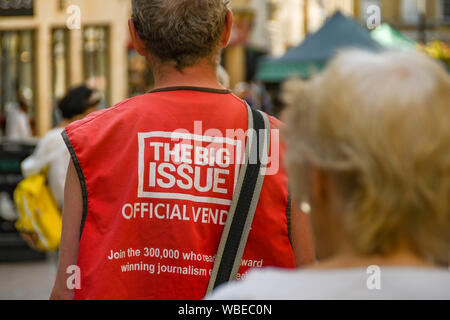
181	32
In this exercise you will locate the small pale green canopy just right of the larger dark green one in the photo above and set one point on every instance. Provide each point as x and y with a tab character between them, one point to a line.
392	38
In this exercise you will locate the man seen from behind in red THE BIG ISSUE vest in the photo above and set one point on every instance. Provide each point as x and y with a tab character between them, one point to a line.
149	210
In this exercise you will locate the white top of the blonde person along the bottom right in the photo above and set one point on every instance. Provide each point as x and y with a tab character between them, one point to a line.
395	283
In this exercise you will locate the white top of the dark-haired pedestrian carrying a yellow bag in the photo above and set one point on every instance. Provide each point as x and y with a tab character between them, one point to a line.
51	151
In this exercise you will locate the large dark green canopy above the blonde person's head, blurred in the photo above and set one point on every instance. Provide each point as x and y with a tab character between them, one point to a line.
312	55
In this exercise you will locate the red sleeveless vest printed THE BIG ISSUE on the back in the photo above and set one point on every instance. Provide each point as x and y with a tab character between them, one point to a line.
157	174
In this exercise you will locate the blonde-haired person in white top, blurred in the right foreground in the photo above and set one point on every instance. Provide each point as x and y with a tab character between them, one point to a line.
369	153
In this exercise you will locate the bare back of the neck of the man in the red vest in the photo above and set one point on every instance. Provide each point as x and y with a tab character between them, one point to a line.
202	75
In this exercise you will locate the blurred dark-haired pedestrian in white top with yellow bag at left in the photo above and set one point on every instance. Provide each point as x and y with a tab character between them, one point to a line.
51	151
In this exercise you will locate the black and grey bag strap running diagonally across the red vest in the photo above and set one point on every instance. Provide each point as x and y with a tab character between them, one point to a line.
245	200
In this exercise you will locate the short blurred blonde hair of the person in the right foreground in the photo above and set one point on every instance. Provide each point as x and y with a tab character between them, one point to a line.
379	124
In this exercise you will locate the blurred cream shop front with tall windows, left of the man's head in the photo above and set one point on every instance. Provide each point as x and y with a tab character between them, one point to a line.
42	55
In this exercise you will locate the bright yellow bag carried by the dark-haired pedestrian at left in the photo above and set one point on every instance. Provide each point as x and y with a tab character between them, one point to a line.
39	218
